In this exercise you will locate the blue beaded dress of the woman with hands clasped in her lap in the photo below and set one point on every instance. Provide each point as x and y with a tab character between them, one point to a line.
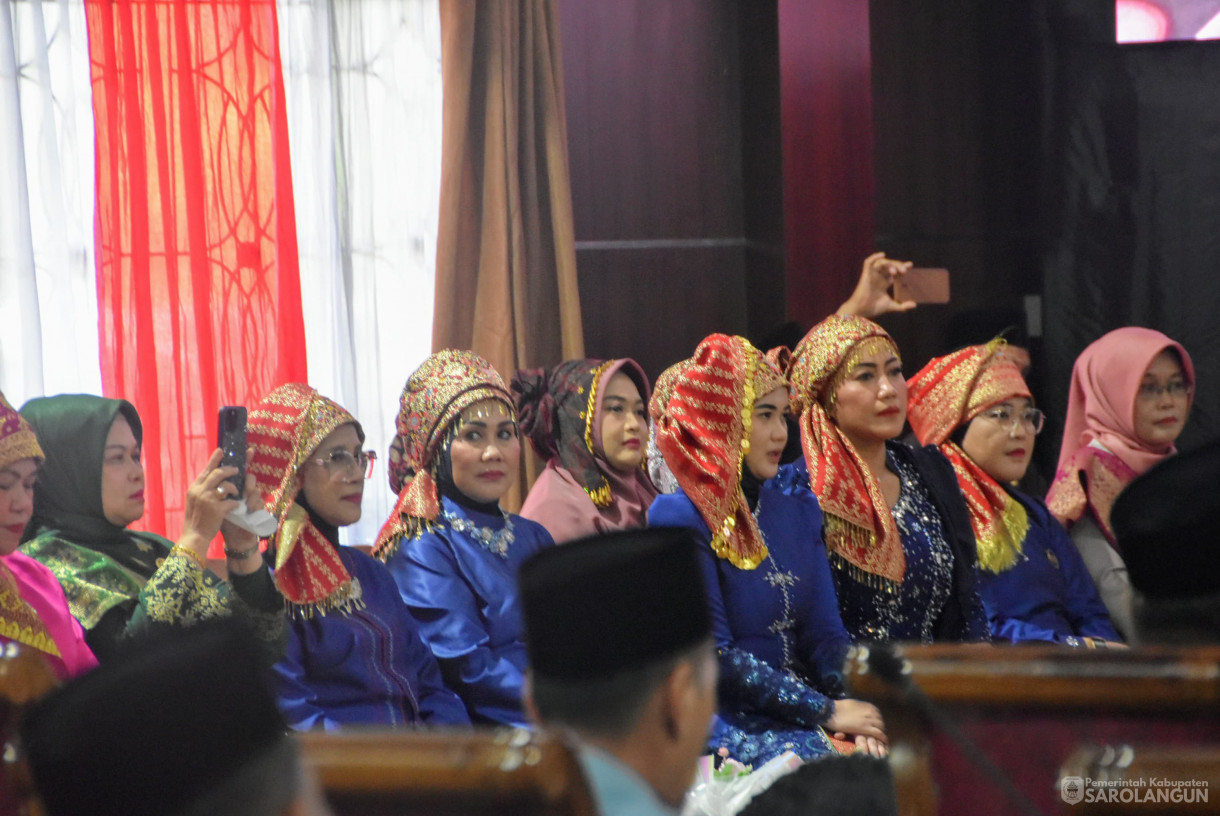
778	630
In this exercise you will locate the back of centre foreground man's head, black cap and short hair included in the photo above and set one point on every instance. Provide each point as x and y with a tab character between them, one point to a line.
607	618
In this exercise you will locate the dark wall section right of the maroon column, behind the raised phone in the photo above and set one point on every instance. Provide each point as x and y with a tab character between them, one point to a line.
957	104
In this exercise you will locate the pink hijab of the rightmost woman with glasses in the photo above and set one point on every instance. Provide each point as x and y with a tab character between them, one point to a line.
1101	408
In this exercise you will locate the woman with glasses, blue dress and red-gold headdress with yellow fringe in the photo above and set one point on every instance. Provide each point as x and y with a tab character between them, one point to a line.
975	407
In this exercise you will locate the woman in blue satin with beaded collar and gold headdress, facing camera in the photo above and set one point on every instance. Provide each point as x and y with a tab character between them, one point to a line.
452	549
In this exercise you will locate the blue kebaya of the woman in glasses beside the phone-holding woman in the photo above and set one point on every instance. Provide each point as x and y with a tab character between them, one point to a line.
363	667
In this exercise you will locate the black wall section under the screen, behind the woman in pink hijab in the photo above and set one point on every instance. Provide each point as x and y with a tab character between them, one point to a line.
1135	202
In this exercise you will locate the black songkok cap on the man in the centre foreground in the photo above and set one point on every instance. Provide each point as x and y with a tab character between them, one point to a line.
613	603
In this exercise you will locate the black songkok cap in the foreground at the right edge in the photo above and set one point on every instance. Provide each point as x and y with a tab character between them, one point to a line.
1166	523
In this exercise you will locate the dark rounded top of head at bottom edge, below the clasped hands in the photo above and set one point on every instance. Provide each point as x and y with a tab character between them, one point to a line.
845	786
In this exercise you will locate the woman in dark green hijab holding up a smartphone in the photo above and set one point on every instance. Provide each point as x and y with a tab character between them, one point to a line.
119	582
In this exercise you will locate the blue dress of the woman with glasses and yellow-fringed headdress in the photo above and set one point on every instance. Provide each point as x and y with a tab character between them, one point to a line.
1049	595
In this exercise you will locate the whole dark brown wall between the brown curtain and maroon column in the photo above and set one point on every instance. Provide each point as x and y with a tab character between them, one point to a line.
675	173
